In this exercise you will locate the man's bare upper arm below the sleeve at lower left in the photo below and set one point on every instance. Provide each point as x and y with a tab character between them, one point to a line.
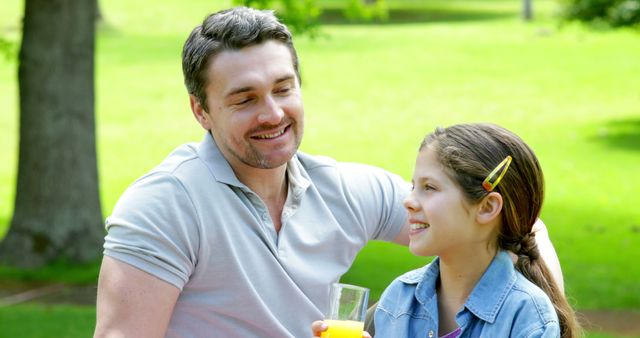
131	302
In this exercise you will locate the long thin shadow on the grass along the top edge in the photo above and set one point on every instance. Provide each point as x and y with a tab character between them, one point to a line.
418	15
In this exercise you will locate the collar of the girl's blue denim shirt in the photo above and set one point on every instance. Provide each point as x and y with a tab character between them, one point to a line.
487	296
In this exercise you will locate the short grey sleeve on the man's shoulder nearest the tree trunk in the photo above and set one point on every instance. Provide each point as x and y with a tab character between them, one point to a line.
154	227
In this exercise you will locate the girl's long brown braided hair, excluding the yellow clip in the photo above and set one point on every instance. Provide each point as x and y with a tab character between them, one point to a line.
469	152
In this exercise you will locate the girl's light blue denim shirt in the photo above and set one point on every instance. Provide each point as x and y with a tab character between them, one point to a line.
502	304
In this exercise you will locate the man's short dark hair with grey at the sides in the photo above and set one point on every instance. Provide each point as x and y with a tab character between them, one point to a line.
230	29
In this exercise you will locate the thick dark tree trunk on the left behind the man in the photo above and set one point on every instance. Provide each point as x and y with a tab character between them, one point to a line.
57	212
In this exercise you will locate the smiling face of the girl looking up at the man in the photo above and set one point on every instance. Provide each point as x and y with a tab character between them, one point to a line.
442	221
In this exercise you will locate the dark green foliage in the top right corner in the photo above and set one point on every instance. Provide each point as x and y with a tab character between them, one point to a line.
615	13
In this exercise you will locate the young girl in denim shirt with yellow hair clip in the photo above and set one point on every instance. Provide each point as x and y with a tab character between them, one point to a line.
477	191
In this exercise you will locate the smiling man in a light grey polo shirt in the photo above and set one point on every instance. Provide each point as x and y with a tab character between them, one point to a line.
240	235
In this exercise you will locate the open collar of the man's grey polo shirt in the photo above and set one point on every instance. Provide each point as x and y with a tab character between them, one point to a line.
221	170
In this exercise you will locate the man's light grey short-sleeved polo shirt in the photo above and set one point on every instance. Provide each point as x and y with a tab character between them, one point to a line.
190	222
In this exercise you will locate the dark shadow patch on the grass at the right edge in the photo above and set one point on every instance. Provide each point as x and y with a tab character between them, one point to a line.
622	134
